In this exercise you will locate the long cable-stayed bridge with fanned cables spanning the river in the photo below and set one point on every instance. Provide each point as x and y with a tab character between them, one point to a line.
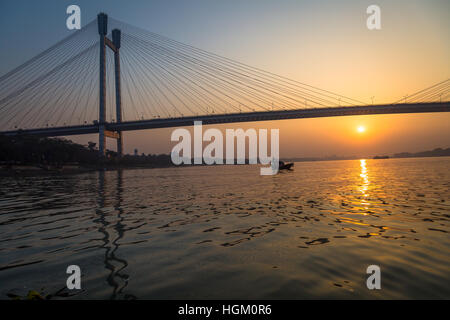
96	81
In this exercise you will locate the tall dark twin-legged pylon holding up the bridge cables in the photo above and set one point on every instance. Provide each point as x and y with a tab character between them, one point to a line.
114	45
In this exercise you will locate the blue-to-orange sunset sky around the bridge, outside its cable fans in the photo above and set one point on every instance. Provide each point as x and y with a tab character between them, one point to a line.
322	43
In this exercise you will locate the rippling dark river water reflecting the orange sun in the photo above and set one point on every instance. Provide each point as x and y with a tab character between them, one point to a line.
227	232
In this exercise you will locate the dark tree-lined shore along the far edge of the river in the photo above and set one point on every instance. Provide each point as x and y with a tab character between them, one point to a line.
29	155
